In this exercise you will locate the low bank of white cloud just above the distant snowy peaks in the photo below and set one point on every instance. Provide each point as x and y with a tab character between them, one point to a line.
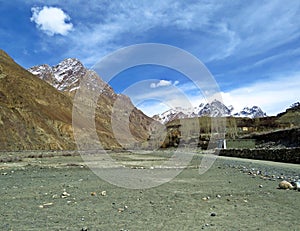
273	96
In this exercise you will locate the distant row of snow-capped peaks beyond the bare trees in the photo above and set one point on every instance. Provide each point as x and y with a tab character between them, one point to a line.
213	109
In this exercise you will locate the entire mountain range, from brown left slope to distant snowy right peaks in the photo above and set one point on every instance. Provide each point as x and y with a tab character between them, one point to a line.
36	107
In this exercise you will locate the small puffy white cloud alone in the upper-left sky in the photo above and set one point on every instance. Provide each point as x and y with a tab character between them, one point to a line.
51	20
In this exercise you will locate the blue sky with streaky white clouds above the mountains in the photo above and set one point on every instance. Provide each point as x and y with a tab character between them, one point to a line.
250	48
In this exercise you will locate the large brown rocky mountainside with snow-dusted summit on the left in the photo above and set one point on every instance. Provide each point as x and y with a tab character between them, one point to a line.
38	115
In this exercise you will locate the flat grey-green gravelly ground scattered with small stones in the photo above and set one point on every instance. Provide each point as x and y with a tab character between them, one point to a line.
61	193
